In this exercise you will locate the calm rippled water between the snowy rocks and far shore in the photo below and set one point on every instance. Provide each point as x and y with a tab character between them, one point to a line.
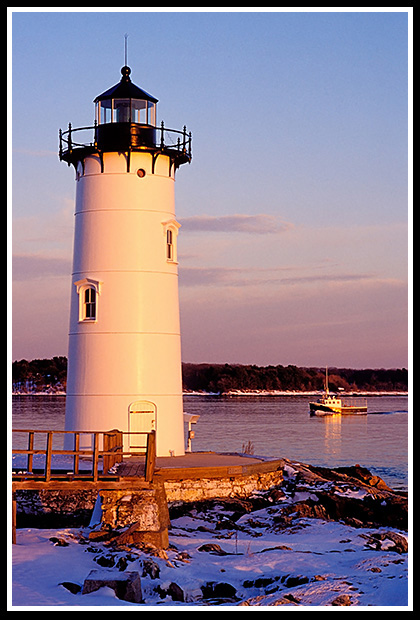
277	427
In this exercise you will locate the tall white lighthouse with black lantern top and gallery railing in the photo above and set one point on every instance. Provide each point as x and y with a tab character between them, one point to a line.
124	354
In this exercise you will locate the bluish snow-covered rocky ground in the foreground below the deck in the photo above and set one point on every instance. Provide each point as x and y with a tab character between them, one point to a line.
311	563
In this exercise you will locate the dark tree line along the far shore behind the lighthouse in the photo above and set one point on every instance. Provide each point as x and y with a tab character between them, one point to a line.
44	374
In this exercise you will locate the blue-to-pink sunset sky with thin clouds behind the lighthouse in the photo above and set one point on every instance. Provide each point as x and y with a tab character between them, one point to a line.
296	208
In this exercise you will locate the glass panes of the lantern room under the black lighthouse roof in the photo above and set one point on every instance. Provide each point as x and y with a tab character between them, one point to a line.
139	111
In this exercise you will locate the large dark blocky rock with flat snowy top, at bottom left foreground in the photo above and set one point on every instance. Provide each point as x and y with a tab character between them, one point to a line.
127	586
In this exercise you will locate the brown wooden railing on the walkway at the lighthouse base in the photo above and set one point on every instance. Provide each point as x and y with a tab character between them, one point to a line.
105	448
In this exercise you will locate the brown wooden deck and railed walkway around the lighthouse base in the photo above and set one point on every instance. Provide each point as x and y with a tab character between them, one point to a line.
106	466
